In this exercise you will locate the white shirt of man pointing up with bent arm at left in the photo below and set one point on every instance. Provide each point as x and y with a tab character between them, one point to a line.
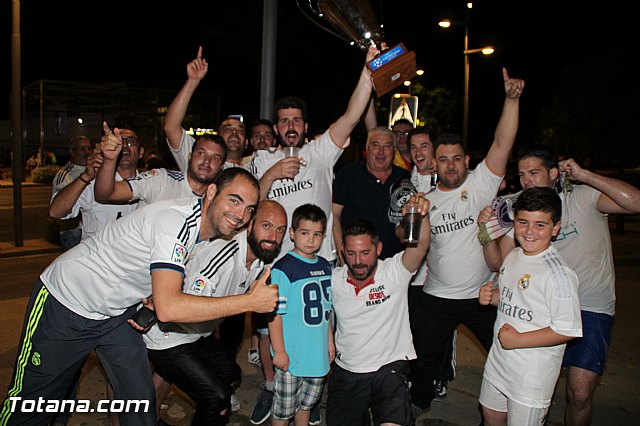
159	184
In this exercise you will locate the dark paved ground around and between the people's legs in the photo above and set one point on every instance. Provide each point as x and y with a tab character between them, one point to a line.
617	400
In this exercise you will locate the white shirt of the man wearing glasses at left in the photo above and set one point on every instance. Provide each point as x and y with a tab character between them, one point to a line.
95	215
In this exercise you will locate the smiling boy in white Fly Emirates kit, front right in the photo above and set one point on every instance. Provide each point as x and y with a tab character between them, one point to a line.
538	313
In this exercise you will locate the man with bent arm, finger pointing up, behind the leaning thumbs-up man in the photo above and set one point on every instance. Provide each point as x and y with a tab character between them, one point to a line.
158	184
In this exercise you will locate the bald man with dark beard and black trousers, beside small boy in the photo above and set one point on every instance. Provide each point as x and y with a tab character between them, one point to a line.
189	355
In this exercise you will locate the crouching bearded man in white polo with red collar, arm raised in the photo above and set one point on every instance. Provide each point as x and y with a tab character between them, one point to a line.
373	336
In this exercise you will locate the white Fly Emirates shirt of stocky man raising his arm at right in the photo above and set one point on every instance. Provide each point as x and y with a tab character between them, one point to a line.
457	267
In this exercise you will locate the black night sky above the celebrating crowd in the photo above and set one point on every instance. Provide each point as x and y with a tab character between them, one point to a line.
148	43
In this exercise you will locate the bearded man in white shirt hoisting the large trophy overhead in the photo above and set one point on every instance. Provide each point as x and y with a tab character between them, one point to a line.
292	182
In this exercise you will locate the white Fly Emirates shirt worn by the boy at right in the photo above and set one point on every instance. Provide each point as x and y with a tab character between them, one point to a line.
535	292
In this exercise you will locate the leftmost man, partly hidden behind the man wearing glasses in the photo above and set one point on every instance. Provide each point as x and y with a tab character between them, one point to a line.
79	150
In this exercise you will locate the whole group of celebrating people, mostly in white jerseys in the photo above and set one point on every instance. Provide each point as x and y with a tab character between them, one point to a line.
338	302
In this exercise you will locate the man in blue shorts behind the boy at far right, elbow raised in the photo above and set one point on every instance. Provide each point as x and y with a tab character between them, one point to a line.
585	244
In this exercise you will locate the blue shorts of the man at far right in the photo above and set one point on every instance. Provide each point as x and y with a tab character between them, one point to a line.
589	352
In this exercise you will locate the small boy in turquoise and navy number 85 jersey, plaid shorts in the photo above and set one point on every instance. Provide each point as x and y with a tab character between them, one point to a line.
300	331
